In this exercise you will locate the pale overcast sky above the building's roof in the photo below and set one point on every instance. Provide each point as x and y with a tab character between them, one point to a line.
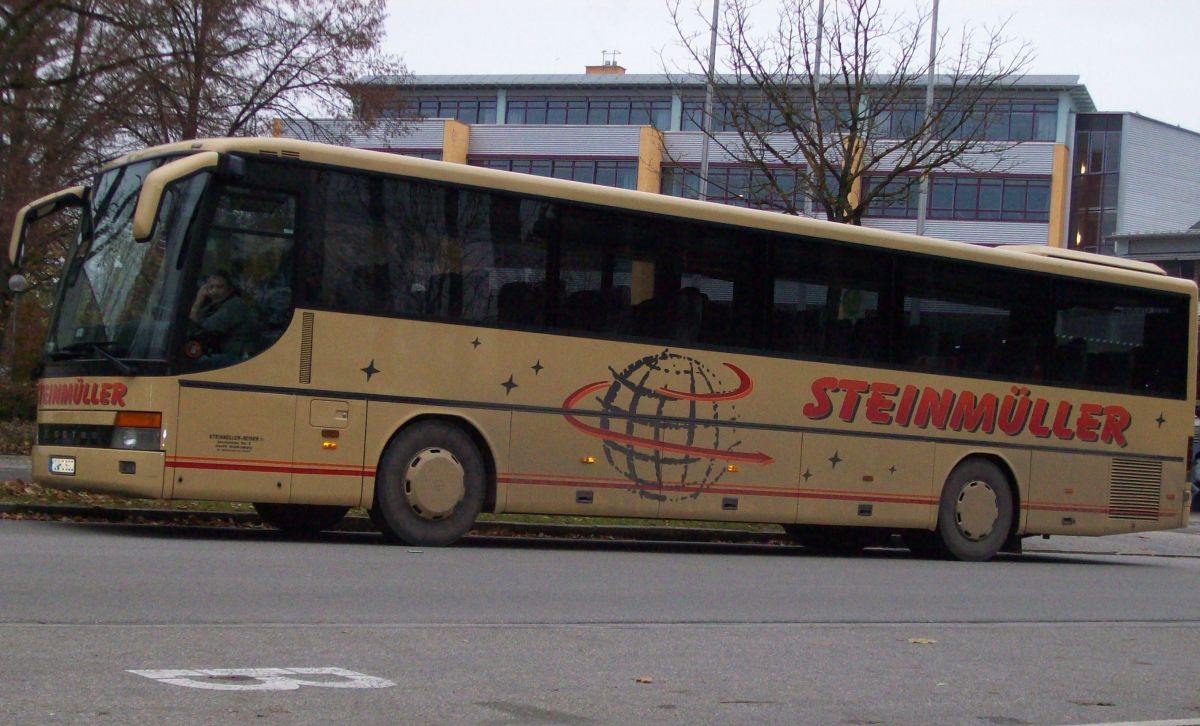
1133	56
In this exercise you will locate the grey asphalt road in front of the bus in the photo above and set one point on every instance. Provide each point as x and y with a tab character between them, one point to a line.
526	632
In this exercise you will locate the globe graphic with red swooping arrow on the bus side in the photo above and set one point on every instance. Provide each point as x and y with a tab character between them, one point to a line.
668	424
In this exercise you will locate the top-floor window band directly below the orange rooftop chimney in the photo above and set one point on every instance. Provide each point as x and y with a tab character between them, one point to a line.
589	111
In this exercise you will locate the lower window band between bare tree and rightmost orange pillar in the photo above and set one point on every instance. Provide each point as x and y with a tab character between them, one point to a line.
999	199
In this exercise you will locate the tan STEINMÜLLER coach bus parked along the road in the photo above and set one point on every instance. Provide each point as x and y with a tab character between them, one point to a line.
313	328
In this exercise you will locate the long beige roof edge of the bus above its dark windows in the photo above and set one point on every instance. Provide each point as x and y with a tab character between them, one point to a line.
1030	257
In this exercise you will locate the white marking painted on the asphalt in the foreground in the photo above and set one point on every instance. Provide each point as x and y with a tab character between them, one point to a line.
263	680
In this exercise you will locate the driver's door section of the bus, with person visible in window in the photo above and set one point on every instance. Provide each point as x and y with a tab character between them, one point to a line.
236	428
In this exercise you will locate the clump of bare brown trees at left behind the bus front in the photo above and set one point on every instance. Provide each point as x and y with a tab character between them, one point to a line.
82	81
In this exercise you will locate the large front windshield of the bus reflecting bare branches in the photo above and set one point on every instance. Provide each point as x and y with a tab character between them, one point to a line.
119	297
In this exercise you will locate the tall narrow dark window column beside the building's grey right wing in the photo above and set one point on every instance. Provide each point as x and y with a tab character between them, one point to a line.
1096	176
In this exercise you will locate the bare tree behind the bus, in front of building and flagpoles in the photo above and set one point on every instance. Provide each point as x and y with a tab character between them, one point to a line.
835	107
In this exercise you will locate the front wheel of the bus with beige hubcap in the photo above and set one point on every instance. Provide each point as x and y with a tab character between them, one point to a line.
431	485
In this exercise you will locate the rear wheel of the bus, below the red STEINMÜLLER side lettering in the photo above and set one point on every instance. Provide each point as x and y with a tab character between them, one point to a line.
976	512
